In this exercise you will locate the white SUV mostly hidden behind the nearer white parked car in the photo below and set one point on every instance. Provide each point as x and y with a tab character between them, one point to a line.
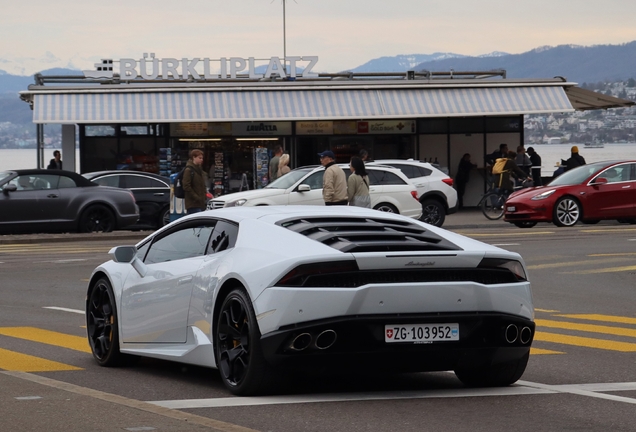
434	188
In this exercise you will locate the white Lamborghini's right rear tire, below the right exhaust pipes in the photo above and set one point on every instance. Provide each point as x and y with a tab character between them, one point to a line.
499	375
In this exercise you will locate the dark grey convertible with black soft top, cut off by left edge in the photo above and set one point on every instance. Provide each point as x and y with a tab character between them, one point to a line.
38	200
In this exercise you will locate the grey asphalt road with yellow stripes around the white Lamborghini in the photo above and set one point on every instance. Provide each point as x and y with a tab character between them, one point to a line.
581	375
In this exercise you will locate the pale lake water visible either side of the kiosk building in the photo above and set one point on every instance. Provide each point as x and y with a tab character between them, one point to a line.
550	155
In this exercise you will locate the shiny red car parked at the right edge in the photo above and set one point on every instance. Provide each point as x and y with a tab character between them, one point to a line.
589	193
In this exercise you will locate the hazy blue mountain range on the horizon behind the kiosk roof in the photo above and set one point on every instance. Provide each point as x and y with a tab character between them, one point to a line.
582	64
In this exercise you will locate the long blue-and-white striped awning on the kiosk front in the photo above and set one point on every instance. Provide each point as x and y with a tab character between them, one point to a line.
199	105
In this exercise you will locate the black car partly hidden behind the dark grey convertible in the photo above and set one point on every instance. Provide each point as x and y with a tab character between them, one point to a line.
152	193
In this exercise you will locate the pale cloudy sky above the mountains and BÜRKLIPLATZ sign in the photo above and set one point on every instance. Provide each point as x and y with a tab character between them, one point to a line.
344	34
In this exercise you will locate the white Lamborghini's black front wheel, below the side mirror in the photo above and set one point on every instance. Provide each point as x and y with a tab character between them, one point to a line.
102	326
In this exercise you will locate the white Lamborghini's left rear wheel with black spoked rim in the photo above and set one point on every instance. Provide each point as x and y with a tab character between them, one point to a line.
240	359
